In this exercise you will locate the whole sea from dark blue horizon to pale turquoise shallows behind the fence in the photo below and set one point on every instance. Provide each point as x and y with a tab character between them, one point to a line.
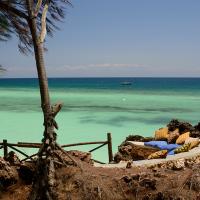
95	106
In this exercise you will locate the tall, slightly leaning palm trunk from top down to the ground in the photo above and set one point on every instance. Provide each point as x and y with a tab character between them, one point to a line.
43	185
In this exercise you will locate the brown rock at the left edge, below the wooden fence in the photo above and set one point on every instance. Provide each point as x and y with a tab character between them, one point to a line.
8	174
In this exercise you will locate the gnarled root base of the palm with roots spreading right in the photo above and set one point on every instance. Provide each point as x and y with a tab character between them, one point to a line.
45	183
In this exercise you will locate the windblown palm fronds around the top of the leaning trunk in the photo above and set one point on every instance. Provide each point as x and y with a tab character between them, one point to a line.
14	19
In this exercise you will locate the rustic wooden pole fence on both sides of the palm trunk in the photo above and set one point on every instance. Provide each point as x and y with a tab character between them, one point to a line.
5	145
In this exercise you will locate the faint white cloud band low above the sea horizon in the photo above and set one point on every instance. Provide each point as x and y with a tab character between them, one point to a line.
79	70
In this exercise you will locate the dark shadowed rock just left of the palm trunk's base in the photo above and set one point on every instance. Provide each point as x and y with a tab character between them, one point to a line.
27	171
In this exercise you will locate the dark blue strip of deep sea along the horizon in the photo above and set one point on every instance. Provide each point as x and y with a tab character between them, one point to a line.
137	84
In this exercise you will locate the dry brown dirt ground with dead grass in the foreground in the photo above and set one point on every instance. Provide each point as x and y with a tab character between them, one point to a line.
94	183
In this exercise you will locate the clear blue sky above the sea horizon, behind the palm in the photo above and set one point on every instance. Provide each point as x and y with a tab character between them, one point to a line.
118	38
